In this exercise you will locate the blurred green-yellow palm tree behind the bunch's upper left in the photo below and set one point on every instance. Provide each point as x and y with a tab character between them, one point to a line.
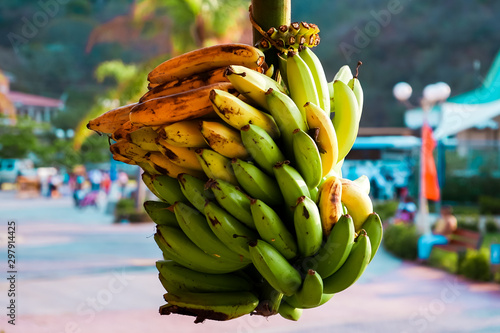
189	24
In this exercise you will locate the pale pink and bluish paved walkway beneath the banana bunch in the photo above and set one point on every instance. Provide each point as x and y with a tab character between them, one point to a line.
80	273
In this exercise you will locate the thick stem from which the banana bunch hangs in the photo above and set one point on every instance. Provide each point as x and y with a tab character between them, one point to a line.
269	14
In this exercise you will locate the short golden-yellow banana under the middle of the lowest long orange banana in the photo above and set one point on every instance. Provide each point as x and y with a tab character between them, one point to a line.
183	134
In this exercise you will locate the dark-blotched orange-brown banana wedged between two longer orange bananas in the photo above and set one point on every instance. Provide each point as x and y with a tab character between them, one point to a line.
194	81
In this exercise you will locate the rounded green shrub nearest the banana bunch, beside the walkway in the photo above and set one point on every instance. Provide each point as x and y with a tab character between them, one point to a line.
401	240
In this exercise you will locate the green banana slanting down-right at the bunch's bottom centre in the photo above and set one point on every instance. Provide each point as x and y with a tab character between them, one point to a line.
280	274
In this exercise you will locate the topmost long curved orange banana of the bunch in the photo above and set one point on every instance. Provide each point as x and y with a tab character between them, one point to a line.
205	59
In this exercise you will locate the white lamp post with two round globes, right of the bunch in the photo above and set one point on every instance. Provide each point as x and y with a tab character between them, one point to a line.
431	95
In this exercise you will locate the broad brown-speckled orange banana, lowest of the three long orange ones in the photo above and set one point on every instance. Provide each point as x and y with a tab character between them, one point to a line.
183	106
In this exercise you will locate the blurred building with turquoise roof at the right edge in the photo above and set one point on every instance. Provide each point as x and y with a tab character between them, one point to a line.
469	124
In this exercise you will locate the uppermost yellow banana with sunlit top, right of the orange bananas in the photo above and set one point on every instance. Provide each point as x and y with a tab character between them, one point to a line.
252	84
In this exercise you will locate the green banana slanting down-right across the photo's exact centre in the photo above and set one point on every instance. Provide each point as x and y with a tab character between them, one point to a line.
256	182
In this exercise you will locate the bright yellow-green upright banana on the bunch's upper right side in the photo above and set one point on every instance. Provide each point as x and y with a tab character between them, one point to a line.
345	121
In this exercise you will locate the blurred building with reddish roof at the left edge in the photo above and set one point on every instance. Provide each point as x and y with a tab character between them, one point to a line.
15	103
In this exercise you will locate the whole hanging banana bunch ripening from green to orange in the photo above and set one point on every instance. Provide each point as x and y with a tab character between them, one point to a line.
252	213
